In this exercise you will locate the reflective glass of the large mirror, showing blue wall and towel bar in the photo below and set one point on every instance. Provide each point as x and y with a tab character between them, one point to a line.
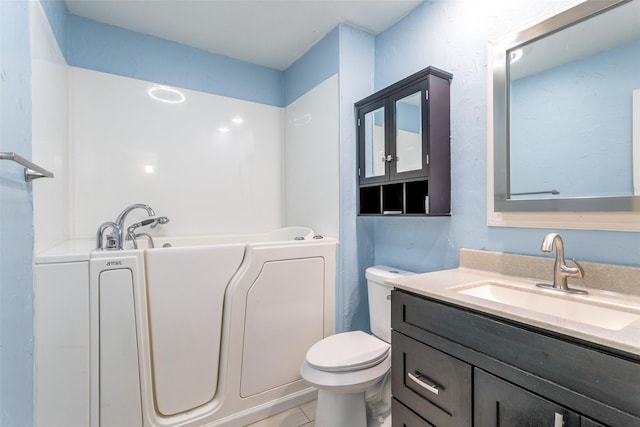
570	110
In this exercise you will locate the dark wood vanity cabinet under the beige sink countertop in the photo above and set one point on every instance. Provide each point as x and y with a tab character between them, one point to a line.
473	369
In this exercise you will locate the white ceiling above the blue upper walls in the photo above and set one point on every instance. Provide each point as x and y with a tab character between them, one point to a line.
271	33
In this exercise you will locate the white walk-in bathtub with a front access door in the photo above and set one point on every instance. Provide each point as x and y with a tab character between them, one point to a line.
210	331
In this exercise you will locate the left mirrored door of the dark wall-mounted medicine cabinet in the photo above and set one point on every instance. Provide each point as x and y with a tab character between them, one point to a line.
373	142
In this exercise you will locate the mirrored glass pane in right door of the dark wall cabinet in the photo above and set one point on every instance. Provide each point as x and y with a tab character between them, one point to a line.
409	133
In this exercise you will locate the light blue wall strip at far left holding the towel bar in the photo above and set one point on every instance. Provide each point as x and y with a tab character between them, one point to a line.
16	219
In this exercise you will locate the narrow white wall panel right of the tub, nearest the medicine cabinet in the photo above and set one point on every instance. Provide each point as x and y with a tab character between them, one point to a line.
311	160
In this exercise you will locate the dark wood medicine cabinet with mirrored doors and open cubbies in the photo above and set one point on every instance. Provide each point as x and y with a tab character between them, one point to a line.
404	147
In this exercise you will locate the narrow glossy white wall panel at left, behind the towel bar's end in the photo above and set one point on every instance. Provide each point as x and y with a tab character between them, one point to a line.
50	133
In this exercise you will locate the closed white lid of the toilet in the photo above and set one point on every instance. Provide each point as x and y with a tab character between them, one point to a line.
348	351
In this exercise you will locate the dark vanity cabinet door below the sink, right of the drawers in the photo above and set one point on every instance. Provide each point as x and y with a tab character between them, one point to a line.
499	403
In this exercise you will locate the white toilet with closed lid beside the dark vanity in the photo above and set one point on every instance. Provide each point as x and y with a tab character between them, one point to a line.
352	368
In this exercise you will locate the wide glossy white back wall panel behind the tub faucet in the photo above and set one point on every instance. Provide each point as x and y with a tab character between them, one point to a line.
129	148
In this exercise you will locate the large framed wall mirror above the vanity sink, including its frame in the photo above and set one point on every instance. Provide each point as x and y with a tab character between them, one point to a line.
563	134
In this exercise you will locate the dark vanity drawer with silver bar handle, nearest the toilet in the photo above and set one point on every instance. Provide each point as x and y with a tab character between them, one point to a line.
433	384
